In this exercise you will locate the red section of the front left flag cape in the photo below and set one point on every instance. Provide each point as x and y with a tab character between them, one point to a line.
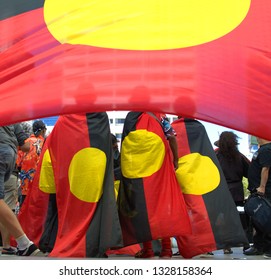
74	215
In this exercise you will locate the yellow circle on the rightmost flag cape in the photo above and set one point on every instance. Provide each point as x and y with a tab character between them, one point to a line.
197	174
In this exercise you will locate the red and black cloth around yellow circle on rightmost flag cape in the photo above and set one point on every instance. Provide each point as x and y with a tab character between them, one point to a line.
213	215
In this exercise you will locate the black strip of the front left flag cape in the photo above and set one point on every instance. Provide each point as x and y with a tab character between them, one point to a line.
104	230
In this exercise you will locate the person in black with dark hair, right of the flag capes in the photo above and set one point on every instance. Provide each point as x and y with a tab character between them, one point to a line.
234	165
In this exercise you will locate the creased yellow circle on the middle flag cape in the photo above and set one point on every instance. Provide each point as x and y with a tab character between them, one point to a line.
142	154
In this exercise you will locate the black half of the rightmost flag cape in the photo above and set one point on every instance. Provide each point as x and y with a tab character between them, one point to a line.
219	203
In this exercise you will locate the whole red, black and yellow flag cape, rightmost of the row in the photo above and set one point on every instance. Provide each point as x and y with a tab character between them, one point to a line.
213	214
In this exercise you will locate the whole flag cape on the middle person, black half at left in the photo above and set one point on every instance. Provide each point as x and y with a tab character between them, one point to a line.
151	204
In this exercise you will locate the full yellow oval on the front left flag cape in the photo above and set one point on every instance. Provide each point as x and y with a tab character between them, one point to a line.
86	174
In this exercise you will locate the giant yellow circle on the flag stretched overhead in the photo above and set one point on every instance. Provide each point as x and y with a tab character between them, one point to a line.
141	24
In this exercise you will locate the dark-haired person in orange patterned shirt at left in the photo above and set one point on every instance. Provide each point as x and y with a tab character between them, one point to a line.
28	162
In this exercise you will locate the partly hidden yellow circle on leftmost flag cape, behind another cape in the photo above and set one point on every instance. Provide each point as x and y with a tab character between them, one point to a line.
47	178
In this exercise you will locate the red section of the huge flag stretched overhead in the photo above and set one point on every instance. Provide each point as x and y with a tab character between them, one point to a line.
225	81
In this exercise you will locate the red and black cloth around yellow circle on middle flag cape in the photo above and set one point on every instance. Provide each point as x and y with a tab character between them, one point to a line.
151	207
